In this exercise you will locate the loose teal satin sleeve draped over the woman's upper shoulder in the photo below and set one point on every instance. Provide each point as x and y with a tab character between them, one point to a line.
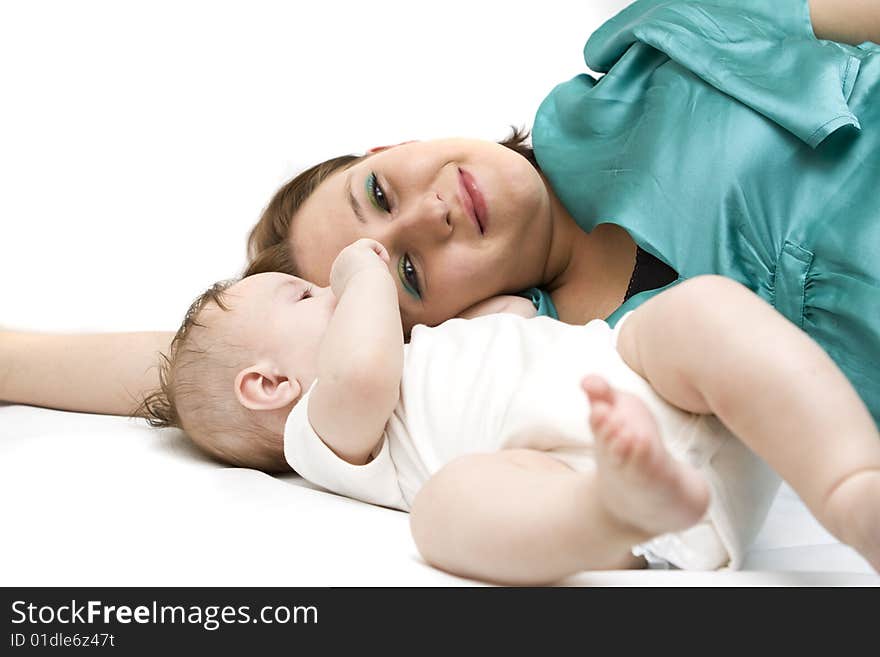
763	54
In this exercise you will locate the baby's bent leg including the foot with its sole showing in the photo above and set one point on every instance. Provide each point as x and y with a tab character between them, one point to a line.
520	516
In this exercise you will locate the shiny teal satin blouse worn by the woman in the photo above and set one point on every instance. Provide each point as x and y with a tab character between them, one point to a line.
726	139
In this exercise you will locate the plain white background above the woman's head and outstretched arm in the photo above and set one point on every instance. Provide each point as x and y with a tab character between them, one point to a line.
139	142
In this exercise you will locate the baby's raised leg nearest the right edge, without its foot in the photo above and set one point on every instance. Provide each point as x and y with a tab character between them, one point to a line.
709	345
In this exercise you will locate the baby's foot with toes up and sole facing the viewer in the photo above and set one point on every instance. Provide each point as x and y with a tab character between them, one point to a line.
639	482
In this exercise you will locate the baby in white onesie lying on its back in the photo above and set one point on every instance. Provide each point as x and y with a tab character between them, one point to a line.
528	449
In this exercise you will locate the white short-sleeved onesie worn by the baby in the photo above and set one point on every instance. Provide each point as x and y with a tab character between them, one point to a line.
501	381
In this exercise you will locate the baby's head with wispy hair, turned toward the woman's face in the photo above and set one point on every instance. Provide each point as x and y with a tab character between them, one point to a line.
244	355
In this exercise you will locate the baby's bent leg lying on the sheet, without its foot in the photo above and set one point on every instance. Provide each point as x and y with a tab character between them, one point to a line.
518	517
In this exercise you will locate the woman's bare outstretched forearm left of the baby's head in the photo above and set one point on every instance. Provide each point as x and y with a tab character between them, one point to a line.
93	373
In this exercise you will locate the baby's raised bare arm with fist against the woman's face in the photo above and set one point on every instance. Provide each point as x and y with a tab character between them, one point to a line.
360	363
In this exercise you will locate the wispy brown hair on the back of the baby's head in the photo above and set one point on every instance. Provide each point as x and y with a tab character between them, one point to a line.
190	398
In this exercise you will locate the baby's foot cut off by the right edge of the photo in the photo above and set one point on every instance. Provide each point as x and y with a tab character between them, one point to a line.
855	513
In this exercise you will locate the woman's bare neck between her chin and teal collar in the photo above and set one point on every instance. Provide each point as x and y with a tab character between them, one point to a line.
587	274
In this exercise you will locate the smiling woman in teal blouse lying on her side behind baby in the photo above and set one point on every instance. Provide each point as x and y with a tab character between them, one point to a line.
724	138
